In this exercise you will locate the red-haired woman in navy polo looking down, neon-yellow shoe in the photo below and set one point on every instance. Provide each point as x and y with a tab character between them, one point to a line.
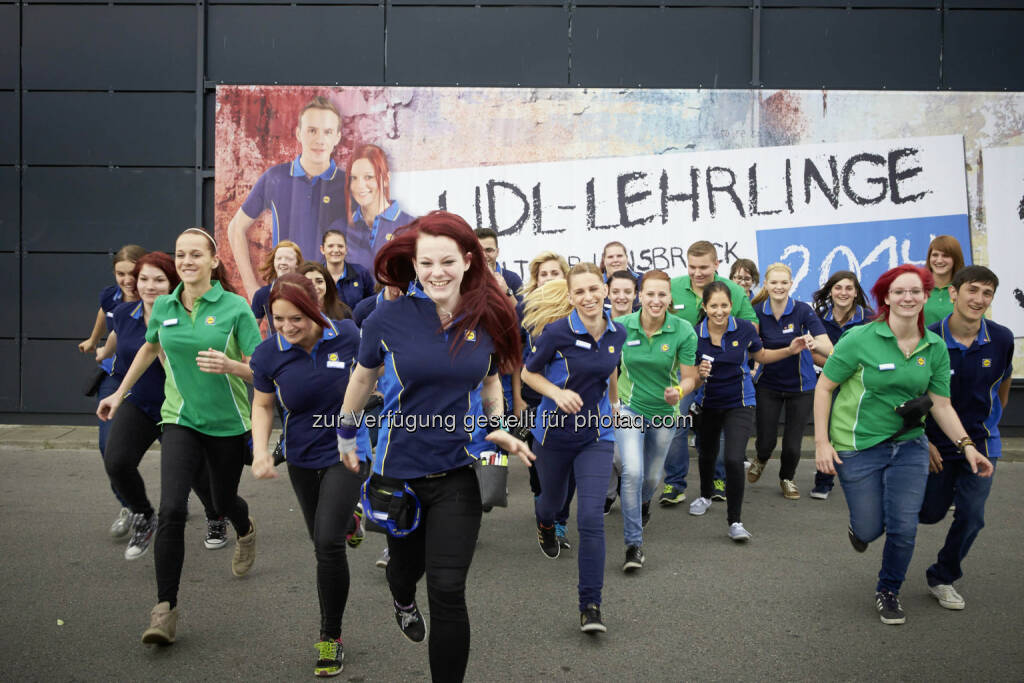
307	365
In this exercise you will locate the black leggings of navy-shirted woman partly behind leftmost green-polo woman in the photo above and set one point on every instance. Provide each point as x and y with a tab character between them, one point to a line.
133	433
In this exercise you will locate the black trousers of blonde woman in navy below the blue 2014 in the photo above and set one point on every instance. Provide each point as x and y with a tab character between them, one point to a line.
799	406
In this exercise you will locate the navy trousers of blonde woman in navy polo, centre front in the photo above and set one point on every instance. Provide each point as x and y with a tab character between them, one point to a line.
592	466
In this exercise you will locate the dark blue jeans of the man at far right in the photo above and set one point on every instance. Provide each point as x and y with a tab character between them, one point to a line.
956	484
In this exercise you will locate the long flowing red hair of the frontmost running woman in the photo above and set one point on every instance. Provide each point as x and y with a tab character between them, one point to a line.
483	302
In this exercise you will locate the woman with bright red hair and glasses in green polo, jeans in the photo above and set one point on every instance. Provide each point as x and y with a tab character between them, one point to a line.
890	374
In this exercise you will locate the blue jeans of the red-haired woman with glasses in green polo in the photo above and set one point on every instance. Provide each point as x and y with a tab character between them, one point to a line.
884	488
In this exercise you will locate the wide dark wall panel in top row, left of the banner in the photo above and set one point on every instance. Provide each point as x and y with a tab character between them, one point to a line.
101	48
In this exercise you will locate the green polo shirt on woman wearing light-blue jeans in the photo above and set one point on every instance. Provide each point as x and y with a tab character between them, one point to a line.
649	366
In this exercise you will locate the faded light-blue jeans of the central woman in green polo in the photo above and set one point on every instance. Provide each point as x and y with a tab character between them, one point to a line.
643	451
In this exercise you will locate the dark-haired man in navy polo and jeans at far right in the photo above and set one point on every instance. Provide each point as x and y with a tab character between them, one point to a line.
982	355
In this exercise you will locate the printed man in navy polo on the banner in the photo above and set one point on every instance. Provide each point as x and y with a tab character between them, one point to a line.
306	197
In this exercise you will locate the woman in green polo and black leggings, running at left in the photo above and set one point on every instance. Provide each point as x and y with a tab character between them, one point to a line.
206	334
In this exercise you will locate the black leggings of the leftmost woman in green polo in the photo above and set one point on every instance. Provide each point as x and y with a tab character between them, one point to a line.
186	453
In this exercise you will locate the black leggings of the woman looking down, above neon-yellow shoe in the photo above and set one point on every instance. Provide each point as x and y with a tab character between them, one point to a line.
328	498
